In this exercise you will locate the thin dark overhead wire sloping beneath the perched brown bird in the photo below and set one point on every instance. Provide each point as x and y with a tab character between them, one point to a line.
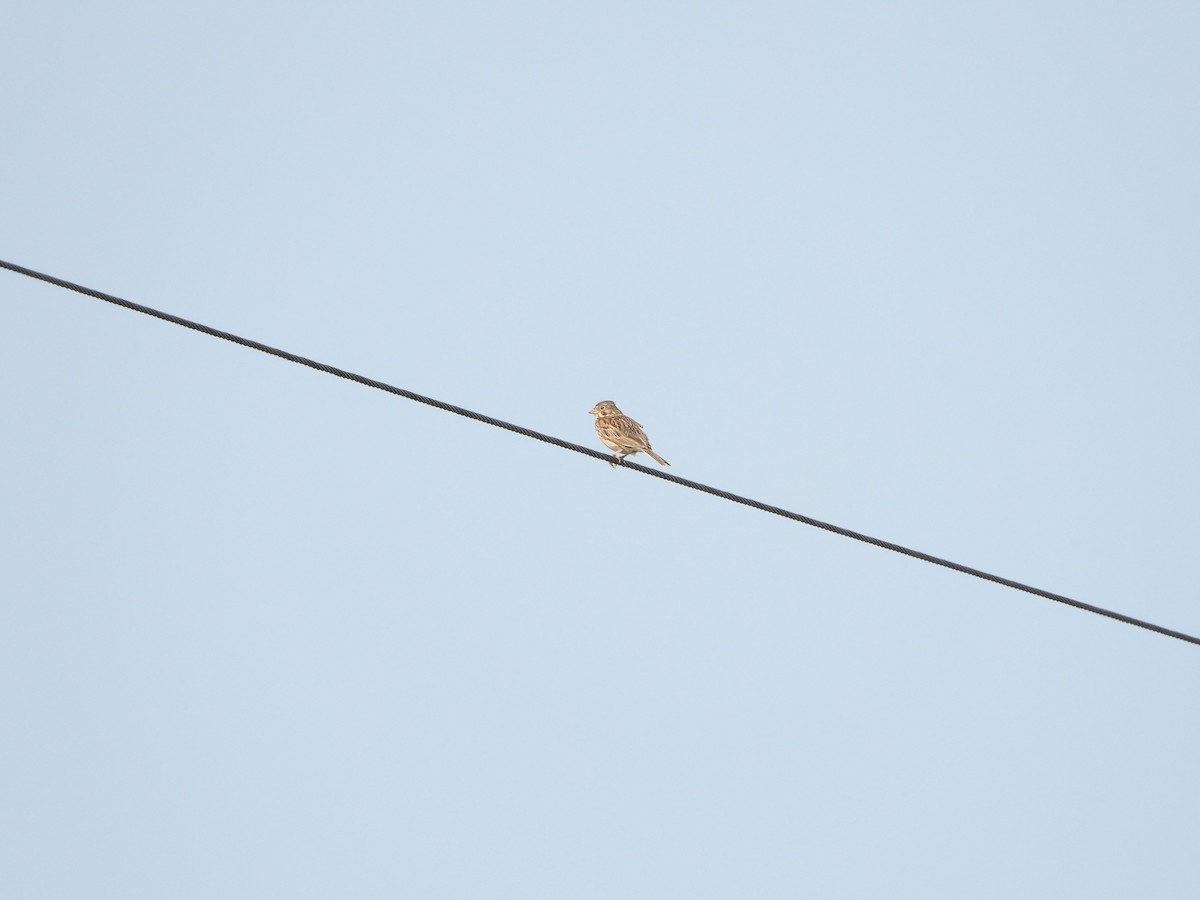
597	454
